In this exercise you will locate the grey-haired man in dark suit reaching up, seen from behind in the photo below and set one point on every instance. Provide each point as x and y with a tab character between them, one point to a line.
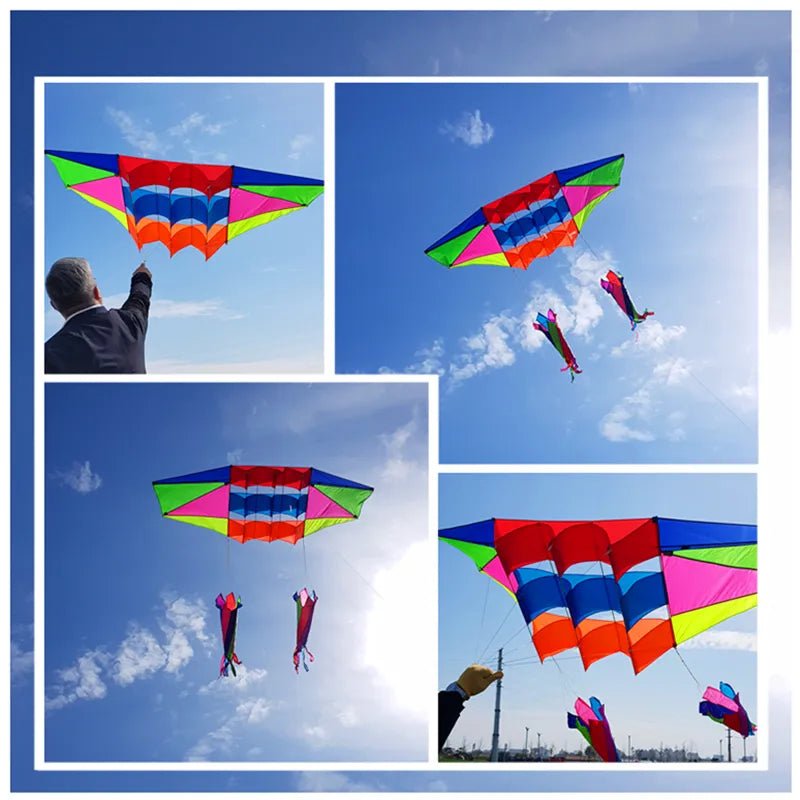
95	339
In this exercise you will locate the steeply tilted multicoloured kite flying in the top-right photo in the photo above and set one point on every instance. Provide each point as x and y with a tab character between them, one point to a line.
532	221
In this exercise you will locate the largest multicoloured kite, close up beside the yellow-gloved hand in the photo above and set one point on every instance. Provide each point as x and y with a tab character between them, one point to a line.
652	584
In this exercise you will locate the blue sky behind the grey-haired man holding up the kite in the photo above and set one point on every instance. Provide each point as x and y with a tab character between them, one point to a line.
263	287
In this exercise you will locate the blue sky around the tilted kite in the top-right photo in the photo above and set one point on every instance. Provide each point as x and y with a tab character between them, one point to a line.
681	229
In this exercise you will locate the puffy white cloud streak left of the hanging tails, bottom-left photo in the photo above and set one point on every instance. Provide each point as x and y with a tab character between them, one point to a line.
140	654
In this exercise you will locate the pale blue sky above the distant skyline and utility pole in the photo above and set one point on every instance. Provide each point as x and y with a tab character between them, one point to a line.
659	704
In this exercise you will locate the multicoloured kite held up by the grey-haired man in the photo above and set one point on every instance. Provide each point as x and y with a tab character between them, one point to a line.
180	204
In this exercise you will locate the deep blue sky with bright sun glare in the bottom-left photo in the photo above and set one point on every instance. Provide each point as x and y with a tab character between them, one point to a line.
132	635
